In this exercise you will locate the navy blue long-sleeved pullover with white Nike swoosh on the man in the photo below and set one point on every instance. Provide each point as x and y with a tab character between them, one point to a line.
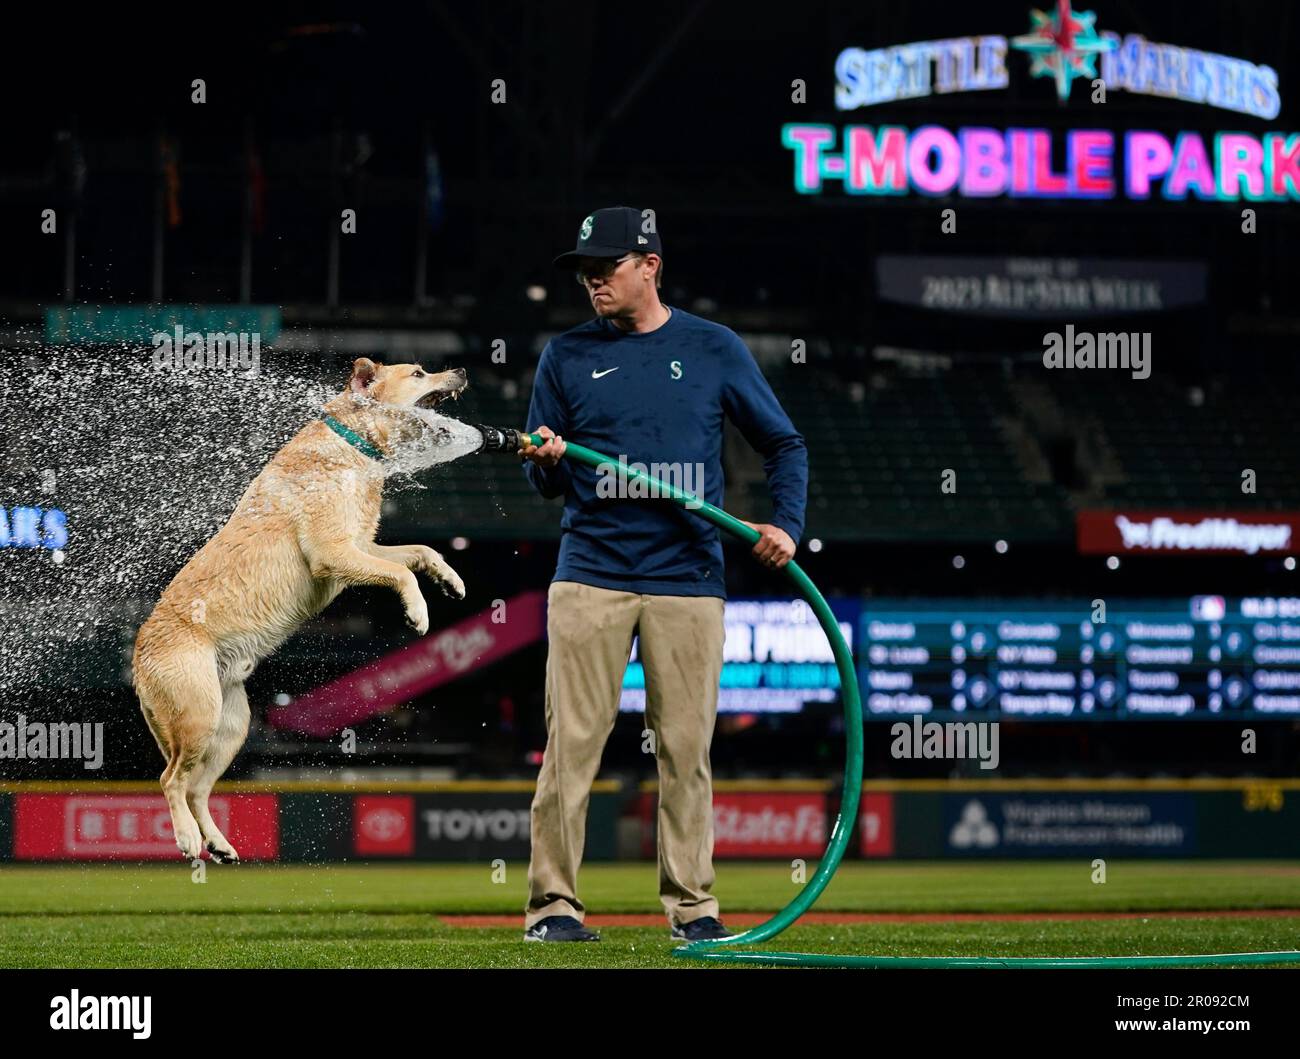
657	398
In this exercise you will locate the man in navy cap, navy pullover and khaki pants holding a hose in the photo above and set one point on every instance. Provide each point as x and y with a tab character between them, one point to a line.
651	384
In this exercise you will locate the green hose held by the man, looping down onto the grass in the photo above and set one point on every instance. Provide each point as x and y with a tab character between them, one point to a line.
720	951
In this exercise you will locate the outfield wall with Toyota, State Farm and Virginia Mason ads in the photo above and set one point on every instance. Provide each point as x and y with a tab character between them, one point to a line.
474	822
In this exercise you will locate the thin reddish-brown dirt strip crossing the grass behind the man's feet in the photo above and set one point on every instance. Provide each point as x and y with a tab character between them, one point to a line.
843	919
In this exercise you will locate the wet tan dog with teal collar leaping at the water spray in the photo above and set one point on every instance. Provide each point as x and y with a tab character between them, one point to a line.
302	533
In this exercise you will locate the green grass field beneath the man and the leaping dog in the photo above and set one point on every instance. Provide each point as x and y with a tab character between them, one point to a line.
392	915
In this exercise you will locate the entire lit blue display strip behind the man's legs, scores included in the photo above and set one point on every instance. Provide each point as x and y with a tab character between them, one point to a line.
1191	658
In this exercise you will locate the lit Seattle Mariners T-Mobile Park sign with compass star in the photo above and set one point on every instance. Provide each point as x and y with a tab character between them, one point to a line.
1063	46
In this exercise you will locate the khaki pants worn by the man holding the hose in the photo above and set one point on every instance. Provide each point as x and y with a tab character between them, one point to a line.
682	648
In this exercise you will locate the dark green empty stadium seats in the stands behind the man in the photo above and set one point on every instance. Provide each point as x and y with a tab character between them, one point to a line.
881	442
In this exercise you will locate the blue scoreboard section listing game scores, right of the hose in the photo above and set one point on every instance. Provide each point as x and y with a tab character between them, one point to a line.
1194	658
